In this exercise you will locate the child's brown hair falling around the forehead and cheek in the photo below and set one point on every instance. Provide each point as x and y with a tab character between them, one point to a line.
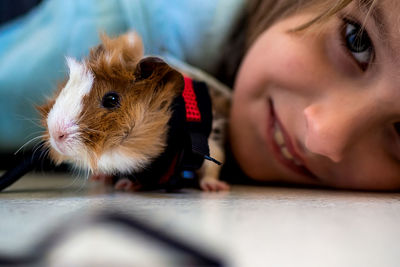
261	14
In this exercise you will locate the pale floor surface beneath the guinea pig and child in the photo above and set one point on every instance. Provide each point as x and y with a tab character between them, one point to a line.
249	226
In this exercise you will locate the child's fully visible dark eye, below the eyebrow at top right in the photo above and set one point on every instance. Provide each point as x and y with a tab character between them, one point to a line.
358	43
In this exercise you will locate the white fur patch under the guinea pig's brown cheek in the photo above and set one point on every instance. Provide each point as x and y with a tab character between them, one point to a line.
115	161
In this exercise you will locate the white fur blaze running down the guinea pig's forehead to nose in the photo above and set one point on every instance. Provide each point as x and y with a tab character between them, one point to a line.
64	114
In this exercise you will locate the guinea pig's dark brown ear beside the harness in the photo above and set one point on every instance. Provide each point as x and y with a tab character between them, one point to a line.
156	70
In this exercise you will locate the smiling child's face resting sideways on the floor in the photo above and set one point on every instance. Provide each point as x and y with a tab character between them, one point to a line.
322	107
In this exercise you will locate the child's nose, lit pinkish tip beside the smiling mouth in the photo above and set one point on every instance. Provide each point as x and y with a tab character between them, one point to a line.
330	132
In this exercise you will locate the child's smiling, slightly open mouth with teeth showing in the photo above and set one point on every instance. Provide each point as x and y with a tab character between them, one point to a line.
283	147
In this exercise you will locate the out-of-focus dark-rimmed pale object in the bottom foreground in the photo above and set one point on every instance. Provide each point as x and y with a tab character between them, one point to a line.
111	239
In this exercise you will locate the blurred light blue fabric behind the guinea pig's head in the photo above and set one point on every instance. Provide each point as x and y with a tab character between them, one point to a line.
33	47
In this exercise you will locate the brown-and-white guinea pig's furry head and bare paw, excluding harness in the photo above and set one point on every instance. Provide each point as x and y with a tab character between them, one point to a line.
111	115
